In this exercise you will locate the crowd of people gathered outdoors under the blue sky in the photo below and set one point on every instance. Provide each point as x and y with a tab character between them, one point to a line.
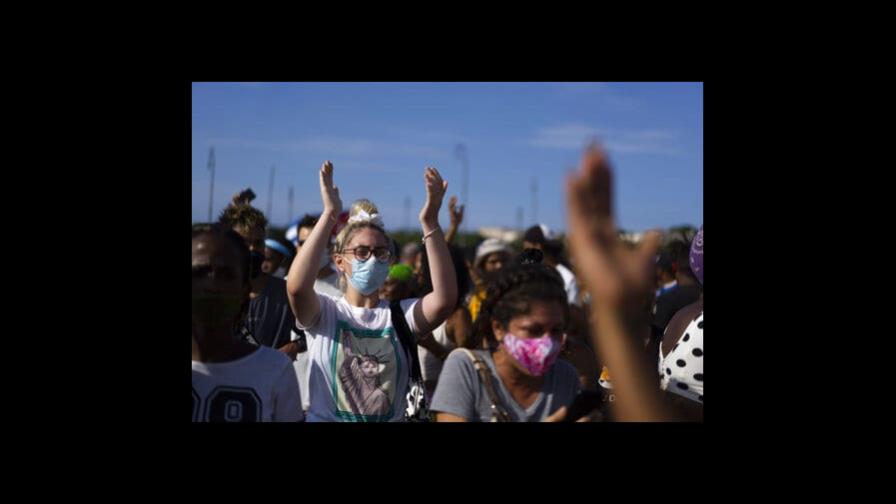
335	321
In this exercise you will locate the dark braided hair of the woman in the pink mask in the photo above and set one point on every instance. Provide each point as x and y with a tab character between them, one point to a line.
512	293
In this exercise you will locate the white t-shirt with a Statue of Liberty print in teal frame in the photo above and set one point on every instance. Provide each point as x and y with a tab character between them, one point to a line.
358	370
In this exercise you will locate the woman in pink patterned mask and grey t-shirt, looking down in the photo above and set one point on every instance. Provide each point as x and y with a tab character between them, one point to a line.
518	378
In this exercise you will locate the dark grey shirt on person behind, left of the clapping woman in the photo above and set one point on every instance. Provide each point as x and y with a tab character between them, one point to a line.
270	317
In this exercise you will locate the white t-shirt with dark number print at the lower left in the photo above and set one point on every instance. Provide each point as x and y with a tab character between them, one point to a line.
260	387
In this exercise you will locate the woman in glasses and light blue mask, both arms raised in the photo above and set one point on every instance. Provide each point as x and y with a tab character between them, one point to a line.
361	320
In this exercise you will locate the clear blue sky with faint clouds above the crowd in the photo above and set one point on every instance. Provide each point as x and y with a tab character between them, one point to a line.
380	136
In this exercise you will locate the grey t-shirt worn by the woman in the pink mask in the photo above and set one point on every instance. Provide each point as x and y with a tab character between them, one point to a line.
460	391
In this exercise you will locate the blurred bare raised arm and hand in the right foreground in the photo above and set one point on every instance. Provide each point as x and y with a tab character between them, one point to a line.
618	280
